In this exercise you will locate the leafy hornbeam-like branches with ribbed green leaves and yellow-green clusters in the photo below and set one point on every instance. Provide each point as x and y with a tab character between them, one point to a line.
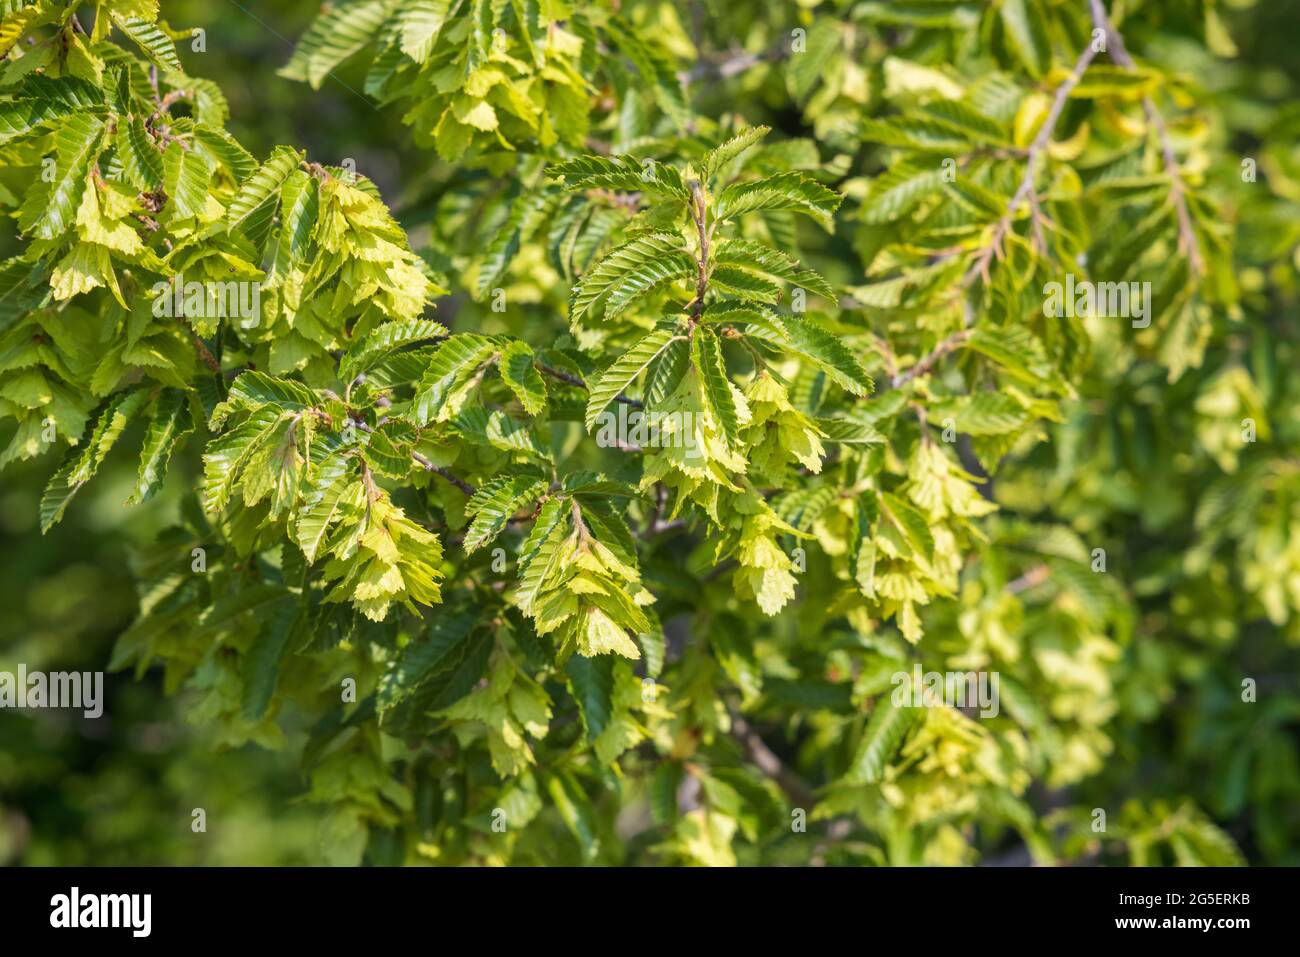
716	392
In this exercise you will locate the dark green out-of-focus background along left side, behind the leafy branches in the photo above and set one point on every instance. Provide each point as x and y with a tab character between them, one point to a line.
122	790
